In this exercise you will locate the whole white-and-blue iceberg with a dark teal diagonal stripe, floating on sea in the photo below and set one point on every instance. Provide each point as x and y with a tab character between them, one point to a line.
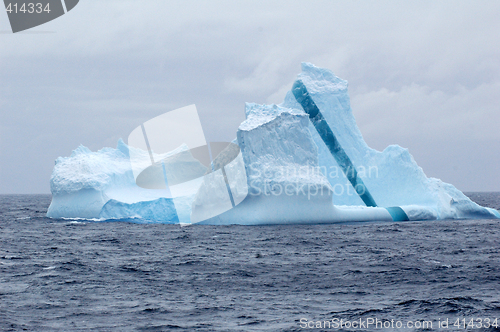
303	161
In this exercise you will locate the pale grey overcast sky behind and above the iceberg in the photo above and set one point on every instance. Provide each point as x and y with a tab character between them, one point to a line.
422	74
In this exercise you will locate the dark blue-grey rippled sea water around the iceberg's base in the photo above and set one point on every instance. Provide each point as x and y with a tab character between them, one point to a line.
69	275
